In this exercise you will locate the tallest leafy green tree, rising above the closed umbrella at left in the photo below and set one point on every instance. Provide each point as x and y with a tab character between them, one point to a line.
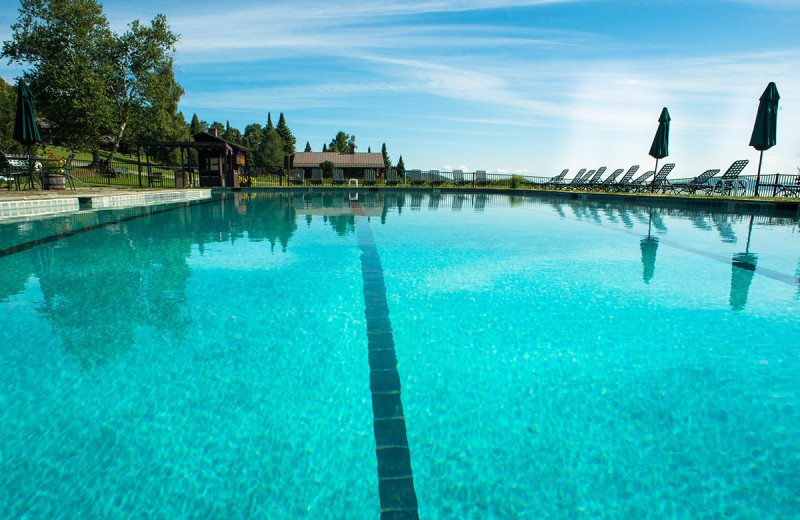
89	81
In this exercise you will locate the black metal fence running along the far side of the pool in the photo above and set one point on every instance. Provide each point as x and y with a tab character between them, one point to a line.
131	174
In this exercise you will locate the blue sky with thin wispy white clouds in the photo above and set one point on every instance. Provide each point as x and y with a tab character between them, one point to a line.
510	86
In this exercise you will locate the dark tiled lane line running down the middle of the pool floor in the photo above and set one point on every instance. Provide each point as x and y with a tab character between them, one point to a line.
398	498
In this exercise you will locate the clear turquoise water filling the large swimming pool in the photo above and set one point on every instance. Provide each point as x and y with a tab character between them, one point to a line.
557	359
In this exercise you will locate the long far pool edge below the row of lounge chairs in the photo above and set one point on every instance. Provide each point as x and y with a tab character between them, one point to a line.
717	204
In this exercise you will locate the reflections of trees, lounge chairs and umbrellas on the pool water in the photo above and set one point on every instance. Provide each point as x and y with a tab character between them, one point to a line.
120	262
